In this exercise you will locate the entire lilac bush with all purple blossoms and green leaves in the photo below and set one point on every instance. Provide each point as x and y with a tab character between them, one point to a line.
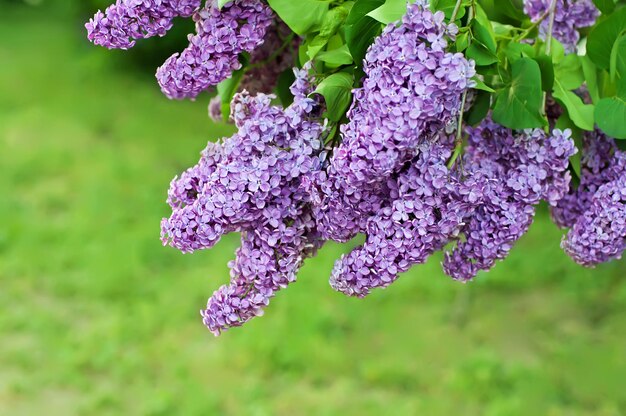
422	130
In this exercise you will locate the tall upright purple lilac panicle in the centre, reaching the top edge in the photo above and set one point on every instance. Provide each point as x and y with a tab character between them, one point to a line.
412	90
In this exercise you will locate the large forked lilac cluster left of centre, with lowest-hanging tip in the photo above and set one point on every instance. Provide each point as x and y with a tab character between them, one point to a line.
252	183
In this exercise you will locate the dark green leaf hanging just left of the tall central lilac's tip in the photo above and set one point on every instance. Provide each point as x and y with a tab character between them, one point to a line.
361	29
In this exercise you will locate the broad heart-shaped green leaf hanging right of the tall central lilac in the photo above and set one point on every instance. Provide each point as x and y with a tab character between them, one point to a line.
518	106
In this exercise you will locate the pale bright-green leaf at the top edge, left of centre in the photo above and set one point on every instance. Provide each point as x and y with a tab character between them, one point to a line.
301	16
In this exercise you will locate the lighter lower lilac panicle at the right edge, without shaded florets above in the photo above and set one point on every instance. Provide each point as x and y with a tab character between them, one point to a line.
600	234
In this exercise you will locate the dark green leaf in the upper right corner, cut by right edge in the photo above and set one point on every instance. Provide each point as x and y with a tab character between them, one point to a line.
603	36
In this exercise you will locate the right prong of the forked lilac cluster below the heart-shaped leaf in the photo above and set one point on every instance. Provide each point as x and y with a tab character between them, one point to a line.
508	175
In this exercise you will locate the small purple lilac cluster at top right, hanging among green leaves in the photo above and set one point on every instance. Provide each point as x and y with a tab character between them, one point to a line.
568	18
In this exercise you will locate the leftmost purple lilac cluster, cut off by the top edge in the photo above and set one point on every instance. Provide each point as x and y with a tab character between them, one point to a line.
125	21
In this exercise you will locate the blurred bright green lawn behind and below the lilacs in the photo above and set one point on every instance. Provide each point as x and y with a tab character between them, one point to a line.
96	318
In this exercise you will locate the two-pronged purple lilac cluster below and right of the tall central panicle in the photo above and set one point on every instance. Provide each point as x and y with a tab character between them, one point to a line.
485	206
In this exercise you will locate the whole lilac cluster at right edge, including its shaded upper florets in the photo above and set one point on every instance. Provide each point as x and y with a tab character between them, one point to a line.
596	209
